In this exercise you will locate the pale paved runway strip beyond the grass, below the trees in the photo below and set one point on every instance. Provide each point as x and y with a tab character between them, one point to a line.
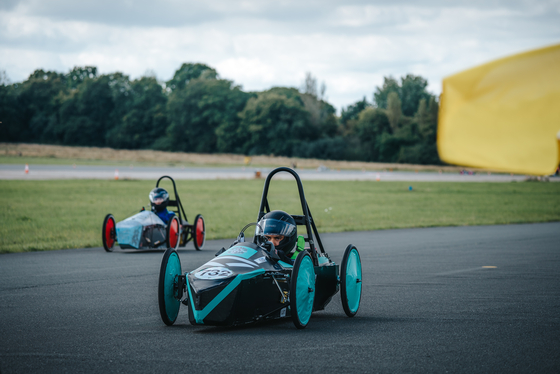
42	172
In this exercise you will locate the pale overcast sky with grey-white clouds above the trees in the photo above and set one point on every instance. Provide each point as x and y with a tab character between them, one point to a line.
349	45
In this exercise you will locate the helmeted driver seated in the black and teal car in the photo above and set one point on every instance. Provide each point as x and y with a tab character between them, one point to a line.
280	228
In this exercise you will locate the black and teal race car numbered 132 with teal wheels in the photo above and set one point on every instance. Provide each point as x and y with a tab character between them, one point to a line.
249	282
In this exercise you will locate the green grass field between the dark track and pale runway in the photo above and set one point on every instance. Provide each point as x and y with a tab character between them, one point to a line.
47	215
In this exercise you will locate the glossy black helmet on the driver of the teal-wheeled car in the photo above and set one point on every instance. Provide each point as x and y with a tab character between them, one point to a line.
278	222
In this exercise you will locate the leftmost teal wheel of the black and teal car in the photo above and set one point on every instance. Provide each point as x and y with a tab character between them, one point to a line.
168	301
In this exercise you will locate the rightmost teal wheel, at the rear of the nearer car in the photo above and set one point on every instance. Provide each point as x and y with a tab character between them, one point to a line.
351	280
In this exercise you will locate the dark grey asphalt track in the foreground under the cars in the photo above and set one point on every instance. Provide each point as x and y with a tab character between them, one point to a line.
482	299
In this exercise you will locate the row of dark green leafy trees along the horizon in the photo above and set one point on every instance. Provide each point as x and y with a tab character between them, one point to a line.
197	111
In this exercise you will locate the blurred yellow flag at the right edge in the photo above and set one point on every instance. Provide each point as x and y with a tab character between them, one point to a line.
504	115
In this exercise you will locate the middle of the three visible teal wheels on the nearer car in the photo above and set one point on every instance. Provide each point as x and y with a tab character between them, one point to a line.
302	290
